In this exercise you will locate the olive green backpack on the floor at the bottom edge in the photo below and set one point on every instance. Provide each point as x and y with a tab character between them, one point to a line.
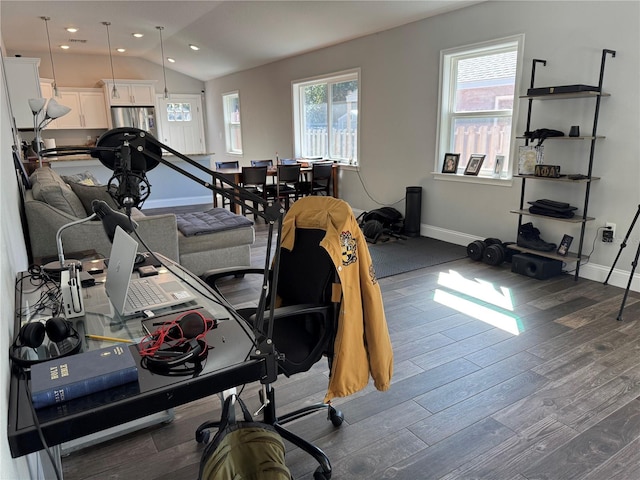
244	450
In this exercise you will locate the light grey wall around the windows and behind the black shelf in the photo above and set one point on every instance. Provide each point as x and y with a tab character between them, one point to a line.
398	112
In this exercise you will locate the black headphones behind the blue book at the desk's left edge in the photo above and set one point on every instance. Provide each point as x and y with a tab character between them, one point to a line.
32	335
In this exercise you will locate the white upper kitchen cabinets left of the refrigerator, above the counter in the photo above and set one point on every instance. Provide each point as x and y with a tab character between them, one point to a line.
88	109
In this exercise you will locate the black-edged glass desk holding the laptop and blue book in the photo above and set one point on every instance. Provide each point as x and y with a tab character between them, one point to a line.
228	364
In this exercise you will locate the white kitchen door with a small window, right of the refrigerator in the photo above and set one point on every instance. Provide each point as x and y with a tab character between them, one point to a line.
180	123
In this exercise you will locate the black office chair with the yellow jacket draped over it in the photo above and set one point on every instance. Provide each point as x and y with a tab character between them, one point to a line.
304	330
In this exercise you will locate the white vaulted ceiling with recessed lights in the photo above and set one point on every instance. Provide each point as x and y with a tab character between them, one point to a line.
232	35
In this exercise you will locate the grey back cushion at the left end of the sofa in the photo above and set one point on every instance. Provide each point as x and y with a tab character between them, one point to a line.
49	187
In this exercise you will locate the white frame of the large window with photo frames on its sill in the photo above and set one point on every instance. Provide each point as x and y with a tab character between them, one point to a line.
447	92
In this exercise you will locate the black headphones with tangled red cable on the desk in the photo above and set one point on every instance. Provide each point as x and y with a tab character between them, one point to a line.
176	343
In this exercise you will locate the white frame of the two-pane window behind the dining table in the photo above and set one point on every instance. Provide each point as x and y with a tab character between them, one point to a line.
298	111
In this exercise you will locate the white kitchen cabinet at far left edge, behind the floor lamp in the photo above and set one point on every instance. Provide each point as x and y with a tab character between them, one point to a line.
23	83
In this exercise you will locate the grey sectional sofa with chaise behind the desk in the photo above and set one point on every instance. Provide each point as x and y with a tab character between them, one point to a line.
53	201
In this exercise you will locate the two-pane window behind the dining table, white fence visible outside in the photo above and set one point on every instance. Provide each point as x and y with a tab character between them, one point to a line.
326	117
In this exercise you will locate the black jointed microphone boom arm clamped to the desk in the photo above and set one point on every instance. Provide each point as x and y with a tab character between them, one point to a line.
134	141
